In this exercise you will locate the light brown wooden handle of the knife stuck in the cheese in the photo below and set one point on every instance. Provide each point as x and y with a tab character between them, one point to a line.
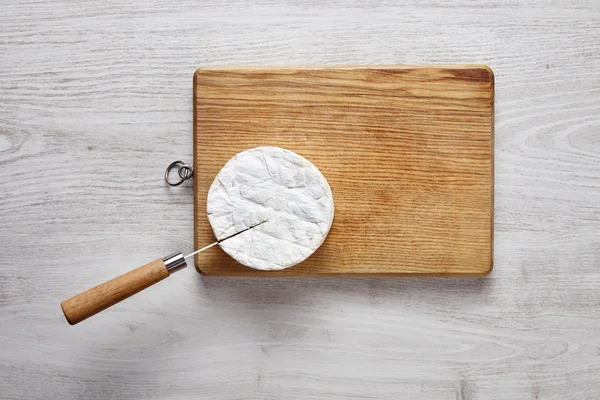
86	304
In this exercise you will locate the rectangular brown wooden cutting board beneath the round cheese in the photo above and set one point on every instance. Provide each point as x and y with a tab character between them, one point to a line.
408	152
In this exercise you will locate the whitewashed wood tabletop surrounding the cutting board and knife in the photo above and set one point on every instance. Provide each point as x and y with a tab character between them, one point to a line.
96	100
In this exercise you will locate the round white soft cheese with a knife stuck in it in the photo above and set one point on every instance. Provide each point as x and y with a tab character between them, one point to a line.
277	186
